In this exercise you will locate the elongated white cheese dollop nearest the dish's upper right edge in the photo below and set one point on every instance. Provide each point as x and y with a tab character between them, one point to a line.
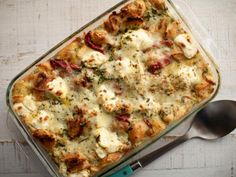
188	48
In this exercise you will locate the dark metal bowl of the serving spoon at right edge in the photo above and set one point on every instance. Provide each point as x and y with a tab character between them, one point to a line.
214	121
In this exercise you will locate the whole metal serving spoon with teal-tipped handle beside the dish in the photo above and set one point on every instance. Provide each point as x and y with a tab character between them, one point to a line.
214	121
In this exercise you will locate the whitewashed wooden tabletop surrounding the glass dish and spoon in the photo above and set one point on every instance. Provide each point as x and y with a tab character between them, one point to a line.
28	28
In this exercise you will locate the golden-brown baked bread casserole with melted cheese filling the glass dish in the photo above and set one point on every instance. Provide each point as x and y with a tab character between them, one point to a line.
113	88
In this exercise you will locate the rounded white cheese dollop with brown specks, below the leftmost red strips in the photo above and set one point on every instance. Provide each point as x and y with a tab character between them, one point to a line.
58	87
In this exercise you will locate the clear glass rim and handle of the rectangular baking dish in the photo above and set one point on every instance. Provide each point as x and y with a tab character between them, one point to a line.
189	22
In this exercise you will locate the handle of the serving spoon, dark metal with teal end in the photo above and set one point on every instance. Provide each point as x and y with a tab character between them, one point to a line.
147	159
